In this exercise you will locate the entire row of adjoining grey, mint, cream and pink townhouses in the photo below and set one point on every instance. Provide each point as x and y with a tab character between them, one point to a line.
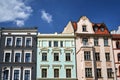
83	51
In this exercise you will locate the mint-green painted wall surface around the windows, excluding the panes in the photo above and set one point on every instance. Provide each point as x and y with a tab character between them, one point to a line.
68	43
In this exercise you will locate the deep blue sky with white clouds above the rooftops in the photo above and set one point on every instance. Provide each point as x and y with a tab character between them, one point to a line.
52	16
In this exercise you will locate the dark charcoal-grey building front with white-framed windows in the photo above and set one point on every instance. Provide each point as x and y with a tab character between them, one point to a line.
18	54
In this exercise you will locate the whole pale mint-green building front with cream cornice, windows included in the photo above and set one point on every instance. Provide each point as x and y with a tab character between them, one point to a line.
56	58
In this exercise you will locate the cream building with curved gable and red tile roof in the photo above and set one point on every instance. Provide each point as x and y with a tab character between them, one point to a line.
94	52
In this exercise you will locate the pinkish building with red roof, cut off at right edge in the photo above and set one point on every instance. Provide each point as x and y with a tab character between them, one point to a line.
116	51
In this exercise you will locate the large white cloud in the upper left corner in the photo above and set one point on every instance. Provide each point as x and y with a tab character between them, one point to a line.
14	10
